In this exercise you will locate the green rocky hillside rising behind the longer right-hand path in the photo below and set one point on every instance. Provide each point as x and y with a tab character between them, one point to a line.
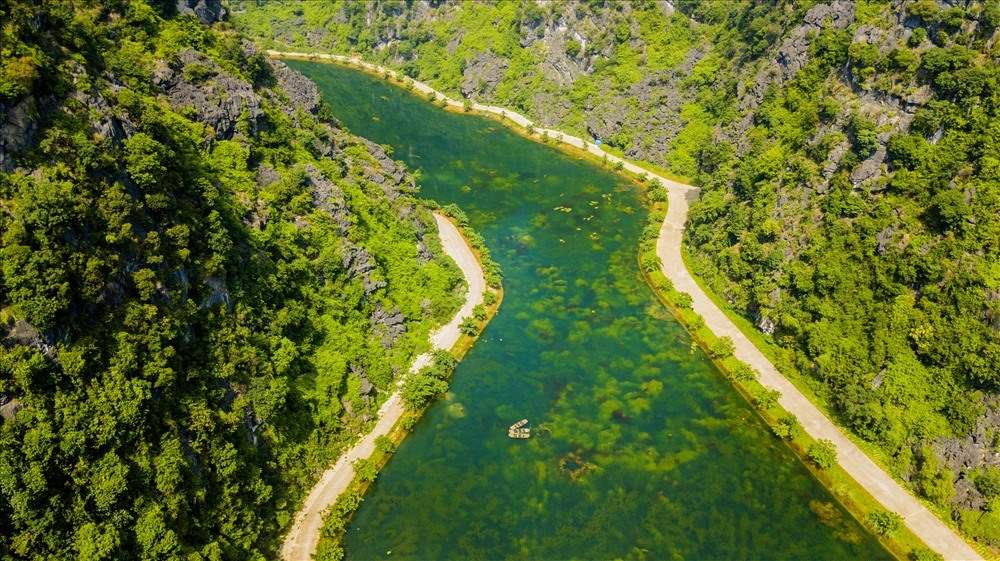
850	171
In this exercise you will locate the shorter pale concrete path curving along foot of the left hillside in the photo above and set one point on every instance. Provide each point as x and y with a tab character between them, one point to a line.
301	540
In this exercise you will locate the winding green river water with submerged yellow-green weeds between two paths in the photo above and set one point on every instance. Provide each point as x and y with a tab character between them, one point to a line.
642	449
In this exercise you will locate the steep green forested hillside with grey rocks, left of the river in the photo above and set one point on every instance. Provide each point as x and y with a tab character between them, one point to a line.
207	285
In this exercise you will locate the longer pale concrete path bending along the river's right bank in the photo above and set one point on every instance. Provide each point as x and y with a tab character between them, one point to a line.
924	524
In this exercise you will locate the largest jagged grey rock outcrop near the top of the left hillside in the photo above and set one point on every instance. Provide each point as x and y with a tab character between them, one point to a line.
219	100
